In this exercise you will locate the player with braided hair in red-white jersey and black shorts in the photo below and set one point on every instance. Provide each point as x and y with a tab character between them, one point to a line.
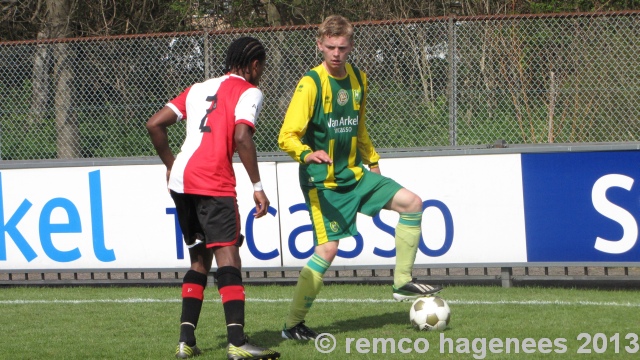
220	115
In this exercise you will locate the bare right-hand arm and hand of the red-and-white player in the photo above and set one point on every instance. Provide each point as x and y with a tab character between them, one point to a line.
246	148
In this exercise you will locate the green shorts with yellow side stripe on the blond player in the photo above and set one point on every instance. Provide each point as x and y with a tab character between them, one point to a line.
333	212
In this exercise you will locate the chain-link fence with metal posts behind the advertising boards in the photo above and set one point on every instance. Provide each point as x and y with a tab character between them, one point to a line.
442	82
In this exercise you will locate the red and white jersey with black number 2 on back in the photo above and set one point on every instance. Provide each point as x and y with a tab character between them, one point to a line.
212	109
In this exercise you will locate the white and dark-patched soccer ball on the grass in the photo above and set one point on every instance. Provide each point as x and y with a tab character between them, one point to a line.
430	313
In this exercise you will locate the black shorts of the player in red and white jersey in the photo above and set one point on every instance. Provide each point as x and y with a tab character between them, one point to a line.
214	220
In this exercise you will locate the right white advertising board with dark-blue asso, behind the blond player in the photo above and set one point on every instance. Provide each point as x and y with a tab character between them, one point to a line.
473	213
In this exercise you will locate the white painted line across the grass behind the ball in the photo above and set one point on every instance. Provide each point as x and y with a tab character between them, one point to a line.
363	301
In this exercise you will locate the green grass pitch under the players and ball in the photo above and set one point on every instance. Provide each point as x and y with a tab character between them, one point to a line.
142	323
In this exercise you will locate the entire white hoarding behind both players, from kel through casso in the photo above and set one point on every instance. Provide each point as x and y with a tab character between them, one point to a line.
122	217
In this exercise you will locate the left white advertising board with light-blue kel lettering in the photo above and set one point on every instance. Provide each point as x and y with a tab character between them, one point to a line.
110	217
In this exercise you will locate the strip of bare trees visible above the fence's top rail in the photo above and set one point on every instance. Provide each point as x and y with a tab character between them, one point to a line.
24	19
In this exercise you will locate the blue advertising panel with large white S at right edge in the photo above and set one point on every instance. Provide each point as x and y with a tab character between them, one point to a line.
582	206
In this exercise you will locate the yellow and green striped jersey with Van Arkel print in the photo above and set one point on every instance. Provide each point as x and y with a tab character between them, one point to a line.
328	113
